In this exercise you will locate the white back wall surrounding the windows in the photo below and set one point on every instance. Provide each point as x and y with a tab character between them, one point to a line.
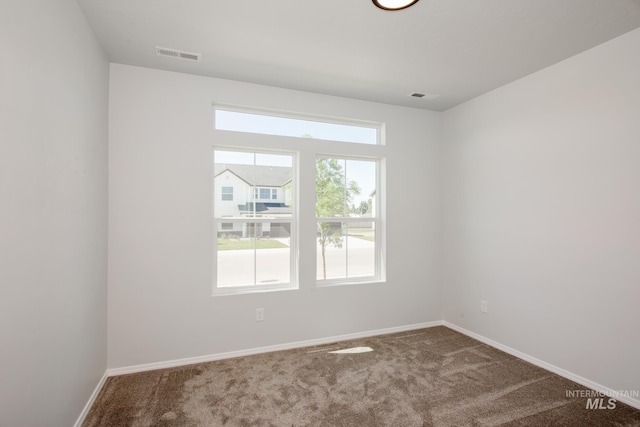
160	225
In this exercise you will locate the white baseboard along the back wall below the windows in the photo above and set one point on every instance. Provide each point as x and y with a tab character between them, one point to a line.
267	349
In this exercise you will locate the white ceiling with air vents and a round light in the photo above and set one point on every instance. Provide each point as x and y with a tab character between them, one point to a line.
457	49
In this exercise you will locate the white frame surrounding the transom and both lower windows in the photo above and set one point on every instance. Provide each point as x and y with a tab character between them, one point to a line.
303	228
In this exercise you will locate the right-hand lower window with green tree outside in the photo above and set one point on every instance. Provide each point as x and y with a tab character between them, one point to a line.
348	245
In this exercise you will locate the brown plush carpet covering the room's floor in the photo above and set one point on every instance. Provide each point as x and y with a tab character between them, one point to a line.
427	377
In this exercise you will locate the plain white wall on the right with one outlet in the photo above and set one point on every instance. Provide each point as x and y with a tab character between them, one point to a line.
542	214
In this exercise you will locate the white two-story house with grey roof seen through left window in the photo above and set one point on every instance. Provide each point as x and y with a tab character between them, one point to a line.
256	191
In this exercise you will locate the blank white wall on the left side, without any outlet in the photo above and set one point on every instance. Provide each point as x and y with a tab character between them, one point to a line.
53	177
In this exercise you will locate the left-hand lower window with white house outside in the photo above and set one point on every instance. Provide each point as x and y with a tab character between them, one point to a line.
253	239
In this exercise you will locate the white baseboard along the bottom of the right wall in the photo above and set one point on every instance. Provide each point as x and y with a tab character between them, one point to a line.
549	367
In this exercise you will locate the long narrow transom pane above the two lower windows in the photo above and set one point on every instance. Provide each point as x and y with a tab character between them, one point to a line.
301	128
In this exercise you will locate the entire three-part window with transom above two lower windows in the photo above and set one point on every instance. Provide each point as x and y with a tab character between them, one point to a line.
340	200
